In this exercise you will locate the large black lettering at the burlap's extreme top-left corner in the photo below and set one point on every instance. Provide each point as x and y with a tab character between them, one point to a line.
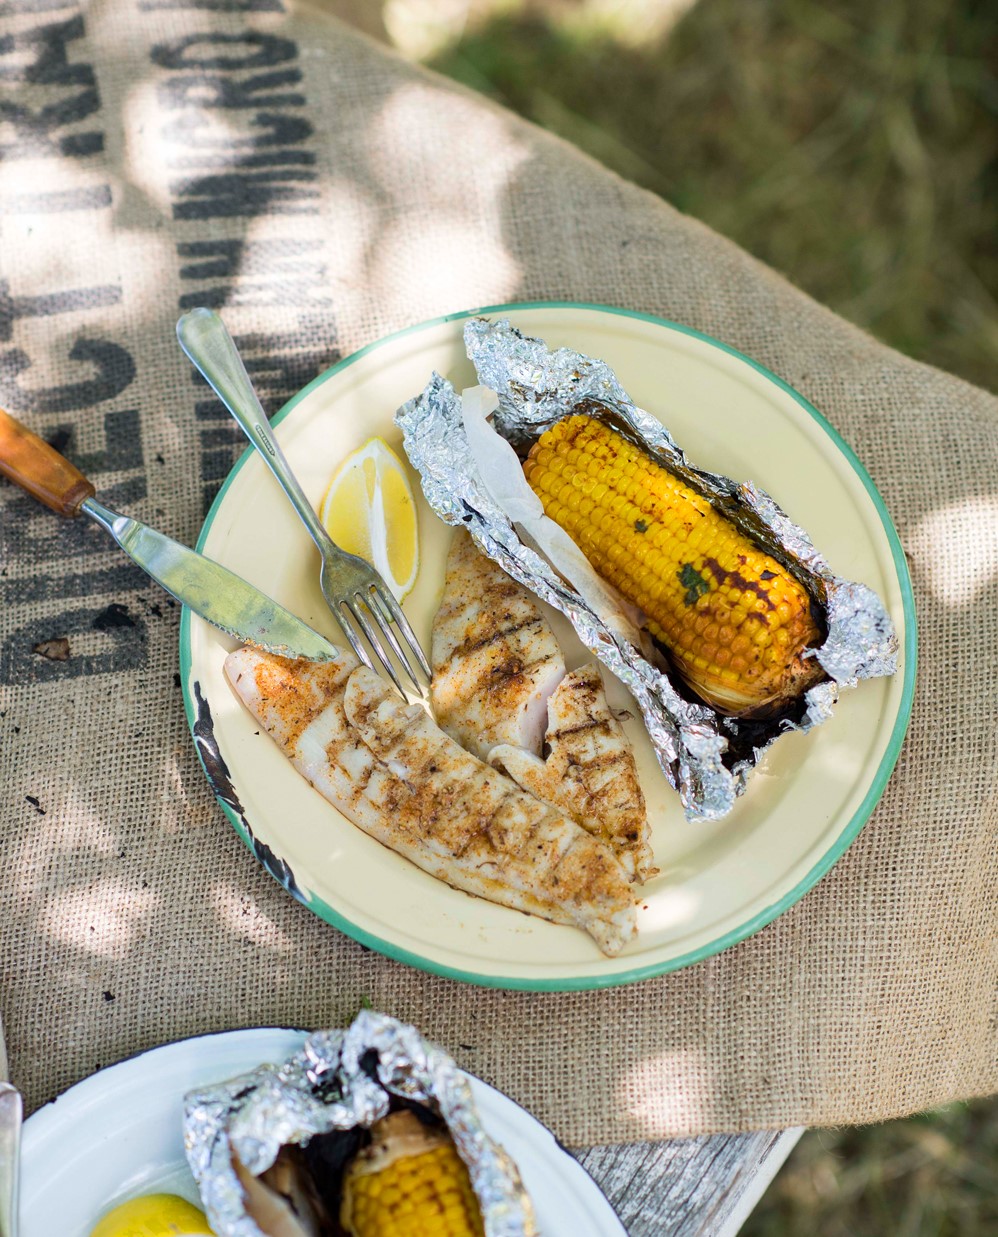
35	127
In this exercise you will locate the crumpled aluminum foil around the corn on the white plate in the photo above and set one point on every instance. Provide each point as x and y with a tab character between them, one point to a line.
325	1088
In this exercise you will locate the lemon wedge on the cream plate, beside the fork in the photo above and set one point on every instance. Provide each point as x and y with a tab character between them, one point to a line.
370	510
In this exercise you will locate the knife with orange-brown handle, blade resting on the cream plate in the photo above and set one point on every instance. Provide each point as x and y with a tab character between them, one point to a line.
210	589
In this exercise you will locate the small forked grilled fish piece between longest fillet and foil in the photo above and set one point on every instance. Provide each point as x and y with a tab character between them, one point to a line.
589	773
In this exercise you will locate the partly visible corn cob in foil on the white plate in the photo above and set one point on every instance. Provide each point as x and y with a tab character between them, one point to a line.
410	1183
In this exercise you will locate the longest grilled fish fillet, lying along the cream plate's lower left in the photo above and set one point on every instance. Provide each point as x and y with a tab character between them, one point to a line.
389	769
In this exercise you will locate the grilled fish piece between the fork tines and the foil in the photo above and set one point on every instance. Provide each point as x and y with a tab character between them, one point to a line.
495	659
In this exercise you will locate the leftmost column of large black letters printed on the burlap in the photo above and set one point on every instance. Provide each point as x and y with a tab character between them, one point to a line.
49	105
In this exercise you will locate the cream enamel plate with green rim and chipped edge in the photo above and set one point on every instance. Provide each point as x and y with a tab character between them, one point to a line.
720	883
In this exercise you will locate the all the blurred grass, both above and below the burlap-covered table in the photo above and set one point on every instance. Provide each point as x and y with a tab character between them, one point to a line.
854	147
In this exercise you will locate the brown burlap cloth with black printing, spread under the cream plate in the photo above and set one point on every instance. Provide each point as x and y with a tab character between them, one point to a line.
164	154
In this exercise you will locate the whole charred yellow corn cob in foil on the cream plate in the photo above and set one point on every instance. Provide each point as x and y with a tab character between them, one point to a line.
734	620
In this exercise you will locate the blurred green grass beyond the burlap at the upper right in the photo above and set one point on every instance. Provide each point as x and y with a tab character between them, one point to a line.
850	145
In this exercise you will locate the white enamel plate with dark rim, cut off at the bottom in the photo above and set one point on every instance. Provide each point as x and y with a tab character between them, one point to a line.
121	1134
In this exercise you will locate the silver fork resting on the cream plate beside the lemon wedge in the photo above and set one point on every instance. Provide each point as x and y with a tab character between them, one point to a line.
356	593
